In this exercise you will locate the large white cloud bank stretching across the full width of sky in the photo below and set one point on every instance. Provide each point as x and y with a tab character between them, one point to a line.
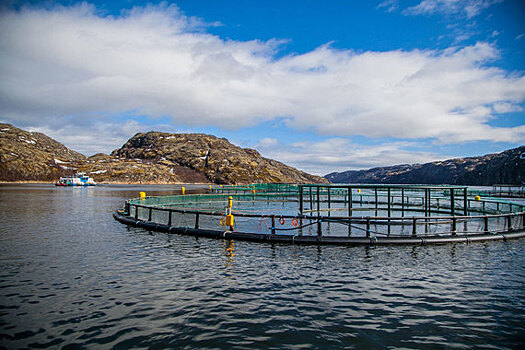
67	62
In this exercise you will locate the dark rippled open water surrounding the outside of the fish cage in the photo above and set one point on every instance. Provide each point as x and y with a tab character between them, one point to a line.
72	277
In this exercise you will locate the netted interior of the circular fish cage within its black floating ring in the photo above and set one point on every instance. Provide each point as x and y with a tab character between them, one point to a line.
335	210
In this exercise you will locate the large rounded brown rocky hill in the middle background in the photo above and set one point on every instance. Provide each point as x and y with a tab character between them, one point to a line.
216	158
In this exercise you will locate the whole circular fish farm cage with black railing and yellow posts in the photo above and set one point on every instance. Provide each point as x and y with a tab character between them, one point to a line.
331	214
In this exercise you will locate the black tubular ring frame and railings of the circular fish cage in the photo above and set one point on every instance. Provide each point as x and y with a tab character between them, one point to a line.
513	220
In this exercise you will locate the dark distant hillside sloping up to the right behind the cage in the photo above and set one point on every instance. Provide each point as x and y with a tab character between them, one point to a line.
507	167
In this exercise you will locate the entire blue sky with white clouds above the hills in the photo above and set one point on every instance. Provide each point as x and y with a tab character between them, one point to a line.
321	85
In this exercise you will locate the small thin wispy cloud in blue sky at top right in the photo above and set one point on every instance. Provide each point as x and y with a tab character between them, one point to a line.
469	8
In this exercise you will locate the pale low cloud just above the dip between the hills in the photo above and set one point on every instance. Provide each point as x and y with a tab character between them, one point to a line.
340	154
